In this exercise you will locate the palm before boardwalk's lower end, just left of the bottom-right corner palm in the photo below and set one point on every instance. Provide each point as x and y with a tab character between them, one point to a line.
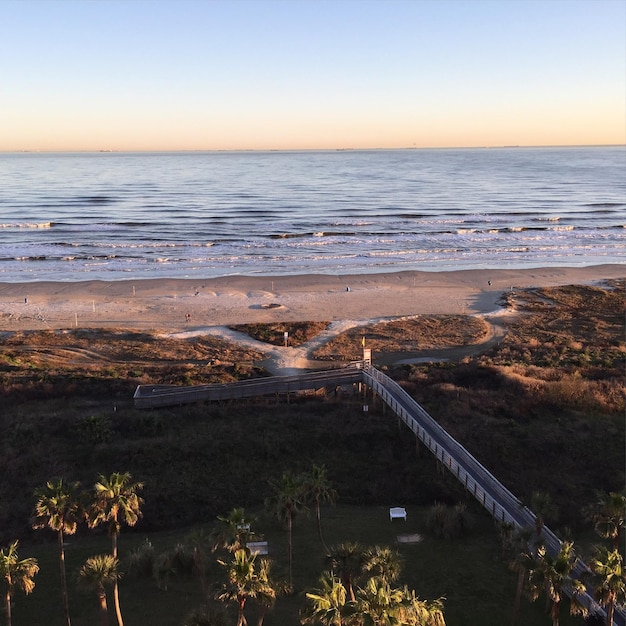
552	575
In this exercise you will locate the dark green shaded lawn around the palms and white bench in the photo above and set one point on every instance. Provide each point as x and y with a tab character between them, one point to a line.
470	572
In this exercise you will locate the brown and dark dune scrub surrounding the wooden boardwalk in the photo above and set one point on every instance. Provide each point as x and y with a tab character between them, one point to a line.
543	410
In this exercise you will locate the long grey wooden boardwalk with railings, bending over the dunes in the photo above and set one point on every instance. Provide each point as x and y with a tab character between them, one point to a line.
503	506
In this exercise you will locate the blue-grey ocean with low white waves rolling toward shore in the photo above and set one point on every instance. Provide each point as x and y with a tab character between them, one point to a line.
83	216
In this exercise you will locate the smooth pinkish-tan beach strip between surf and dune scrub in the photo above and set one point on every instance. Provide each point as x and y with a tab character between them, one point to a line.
176	305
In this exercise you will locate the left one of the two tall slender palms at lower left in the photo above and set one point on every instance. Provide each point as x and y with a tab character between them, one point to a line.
58	508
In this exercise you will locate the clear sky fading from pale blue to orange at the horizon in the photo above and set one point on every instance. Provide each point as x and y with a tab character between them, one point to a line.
310	74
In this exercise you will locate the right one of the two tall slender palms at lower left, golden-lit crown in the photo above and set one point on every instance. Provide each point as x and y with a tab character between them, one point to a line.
116	501
